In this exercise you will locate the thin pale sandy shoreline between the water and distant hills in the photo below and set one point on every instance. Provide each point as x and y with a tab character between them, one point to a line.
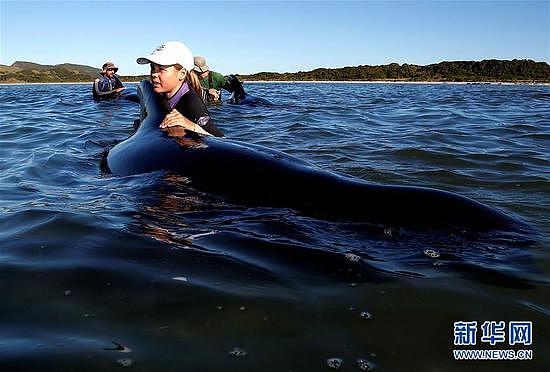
329	82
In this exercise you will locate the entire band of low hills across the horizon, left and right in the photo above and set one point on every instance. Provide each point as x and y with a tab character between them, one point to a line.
460	71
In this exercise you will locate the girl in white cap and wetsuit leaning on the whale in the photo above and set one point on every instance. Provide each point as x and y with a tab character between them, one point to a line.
179	88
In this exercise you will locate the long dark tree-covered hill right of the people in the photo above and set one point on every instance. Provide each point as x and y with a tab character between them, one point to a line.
460	71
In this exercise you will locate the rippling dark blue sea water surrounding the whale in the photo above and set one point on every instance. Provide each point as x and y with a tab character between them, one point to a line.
100	273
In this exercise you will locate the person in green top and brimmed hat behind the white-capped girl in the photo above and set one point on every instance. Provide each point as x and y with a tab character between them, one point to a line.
212	83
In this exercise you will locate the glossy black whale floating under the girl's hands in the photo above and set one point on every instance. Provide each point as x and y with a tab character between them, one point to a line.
256	175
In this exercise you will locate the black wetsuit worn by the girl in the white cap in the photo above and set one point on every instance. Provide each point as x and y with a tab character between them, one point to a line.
193	108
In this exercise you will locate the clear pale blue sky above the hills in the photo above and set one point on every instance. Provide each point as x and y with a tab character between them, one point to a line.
253	36
